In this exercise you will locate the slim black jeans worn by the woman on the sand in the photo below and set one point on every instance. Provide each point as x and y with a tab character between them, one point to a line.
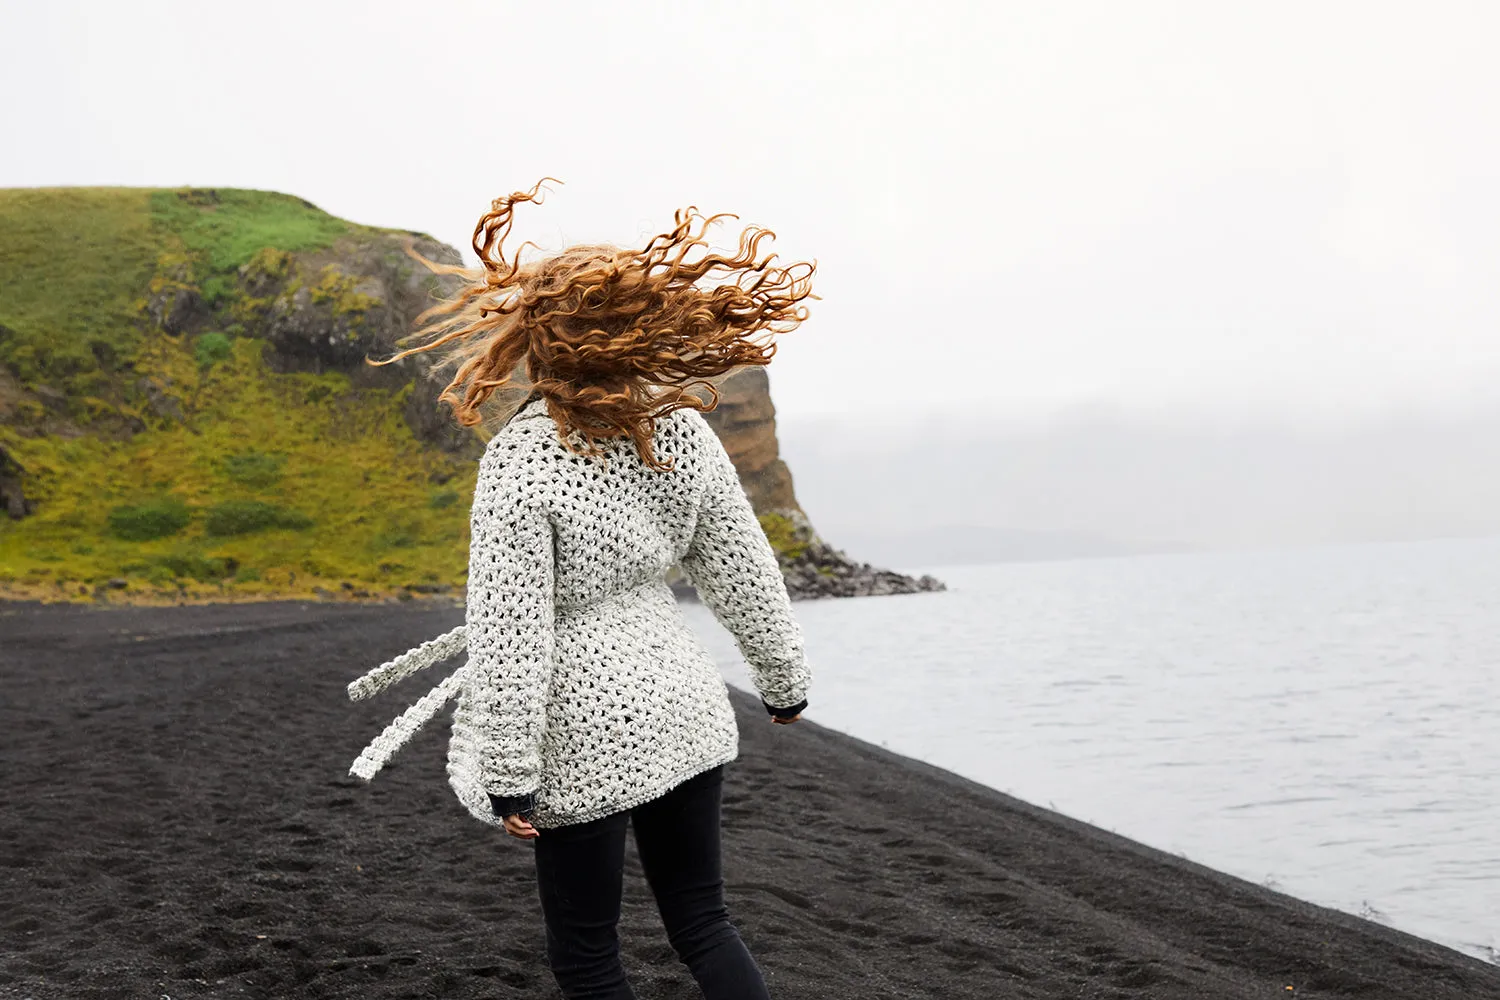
580	872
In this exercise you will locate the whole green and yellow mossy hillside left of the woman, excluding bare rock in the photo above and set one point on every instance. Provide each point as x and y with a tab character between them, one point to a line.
257	484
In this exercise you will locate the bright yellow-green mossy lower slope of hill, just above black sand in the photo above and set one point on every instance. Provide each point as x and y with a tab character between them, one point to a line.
275	487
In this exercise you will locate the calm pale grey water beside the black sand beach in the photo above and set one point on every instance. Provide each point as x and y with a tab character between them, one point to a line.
1322	722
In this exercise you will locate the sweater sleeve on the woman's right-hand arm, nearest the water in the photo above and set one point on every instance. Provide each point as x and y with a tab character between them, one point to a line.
736	572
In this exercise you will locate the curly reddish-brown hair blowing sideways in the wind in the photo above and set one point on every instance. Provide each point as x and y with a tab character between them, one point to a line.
611	338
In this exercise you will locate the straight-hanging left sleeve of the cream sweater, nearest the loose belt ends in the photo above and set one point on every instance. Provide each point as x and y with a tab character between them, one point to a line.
509	626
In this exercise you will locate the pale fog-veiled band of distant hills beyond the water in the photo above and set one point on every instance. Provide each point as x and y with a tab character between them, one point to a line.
1106	485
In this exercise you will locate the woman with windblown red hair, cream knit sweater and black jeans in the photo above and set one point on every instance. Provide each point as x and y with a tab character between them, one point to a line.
587	701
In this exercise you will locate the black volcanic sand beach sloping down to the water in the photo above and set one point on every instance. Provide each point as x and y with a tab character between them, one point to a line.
179	824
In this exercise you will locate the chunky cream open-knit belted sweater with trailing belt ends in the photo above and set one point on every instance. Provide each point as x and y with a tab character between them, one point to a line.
586	690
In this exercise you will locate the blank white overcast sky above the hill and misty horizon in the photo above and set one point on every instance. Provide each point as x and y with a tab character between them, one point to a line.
1279	209
